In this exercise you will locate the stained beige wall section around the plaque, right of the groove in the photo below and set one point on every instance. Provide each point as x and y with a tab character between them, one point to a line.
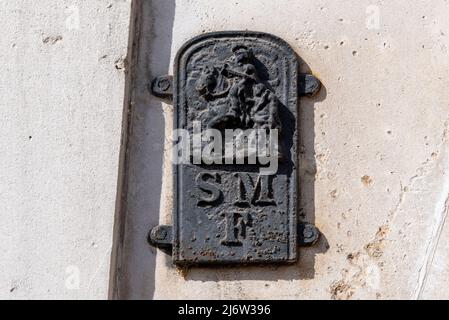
376	153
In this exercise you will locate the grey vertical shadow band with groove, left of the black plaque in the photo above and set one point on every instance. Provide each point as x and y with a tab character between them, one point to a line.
149	56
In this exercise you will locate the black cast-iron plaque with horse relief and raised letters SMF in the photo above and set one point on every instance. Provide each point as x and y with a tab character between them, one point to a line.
228	213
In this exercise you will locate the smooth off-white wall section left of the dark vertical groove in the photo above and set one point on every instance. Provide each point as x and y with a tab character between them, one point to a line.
61	105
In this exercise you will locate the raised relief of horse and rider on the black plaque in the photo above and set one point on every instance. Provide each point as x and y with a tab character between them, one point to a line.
236	96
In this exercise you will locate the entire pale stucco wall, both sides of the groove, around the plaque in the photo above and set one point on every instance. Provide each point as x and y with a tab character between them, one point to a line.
374	167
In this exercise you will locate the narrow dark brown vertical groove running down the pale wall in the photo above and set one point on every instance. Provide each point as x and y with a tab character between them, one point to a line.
122	183
